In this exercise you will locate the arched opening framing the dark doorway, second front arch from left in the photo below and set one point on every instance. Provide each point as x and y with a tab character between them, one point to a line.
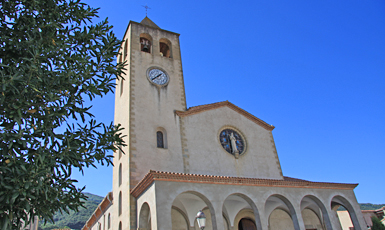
241	212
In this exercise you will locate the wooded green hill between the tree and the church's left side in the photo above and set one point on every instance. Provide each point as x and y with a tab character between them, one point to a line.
74	220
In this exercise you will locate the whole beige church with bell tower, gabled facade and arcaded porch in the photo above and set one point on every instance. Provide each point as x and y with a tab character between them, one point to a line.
213	162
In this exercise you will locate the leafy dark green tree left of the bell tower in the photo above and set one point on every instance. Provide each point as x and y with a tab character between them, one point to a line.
51	57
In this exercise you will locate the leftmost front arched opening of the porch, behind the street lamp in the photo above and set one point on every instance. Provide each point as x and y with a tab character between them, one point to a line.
185	208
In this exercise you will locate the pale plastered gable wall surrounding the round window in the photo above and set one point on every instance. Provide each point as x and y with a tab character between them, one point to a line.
206	155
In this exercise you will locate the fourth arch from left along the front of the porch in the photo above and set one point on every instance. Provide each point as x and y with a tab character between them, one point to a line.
315	205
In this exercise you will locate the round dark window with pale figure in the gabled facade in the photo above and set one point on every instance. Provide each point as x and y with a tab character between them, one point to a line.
232	141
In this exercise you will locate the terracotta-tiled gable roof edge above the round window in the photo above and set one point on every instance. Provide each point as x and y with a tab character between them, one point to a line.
202	108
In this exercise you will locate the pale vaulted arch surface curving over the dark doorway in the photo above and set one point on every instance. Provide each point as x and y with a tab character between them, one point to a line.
237	206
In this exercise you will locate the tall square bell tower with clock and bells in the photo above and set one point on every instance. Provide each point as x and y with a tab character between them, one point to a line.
145	104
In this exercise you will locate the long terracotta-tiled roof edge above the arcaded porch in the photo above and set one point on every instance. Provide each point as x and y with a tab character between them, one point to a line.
226	180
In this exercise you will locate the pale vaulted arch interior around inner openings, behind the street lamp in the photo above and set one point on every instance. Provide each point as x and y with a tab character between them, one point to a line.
189	203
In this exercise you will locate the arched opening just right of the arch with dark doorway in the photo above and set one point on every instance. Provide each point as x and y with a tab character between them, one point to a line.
281	213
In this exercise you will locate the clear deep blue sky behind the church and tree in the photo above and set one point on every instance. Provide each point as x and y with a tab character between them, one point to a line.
313	69
